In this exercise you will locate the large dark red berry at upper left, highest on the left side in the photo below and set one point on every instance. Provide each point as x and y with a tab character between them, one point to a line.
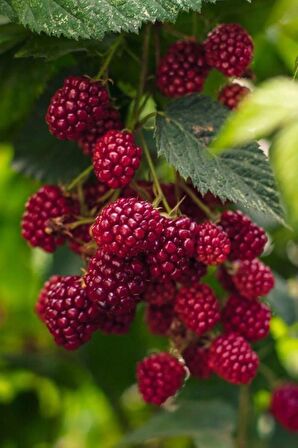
76	107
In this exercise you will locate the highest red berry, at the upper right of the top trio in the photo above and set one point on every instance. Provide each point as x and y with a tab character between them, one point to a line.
229	49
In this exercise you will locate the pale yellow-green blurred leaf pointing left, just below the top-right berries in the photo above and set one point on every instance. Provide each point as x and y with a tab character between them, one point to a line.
271	105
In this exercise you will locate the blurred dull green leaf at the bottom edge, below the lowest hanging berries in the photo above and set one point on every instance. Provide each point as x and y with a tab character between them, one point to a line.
205	422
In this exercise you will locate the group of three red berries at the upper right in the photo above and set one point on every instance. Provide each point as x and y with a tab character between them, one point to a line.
187	63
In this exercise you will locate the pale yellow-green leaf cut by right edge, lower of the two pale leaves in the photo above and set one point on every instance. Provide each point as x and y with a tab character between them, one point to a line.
285	160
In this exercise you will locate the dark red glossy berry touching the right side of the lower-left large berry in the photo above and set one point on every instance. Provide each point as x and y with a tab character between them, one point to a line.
115	284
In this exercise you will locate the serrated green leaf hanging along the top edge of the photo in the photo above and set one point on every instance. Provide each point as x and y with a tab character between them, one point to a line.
88	19
